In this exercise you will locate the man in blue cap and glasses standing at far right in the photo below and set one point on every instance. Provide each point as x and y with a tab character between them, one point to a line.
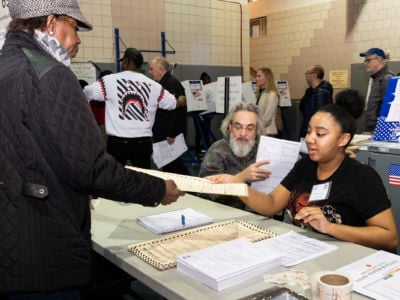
375	65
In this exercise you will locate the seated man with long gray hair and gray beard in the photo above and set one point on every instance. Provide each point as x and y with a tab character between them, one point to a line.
235	154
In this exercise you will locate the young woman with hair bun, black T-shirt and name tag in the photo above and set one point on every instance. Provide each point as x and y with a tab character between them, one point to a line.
329	191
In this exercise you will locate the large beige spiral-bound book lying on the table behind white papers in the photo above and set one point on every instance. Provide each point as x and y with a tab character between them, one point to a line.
161	253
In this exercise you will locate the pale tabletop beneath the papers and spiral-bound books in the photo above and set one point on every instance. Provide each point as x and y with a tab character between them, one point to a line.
114	227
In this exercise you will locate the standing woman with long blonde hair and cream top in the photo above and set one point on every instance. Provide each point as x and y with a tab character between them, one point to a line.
267	100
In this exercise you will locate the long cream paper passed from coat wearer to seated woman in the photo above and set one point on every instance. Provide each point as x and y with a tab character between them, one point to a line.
196	184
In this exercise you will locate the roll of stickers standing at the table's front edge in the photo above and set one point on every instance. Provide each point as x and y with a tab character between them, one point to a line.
331	285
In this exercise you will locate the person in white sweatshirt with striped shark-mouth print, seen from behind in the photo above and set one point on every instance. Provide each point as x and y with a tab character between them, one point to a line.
132	100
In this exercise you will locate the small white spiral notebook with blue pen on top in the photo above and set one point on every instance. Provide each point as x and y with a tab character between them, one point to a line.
174	220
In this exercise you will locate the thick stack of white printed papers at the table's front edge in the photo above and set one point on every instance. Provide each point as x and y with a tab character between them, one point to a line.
227	264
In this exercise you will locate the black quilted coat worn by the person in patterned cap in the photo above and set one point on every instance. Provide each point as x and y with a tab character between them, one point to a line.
51	158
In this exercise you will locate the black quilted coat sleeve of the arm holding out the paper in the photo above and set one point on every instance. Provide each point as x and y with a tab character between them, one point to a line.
74	147
